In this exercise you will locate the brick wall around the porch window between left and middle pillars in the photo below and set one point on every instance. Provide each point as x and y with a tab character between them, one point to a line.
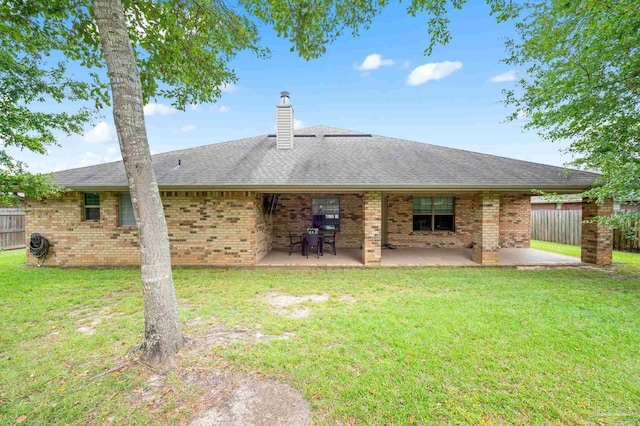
400	223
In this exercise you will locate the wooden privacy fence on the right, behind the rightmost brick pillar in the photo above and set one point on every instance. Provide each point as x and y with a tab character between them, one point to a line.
565	227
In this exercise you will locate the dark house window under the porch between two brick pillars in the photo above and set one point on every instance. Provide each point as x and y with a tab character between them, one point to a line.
433	214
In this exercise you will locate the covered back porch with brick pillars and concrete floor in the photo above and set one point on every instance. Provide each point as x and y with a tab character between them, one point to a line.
420	229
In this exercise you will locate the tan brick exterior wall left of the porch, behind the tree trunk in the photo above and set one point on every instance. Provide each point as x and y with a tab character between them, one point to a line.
205	228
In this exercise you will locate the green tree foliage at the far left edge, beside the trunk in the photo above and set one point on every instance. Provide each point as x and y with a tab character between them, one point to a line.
26	80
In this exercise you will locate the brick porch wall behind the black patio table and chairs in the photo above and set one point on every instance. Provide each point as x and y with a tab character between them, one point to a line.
293	213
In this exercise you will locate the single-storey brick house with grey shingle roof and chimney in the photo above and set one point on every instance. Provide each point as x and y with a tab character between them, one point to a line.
231	203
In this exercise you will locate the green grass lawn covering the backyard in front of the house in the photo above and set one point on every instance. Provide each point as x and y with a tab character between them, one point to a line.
408	346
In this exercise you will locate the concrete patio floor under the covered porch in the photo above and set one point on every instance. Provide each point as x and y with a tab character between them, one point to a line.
352	257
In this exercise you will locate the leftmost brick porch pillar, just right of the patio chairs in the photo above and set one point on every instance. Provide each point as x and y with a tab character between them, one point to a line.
372	228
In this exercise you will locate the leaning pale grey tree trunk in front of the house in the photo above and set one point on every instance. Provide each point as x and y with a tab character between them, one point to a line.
162	335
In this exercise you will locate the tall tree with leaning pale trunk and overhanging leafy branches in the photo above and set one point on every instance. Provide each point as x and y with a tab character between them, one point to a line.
180	50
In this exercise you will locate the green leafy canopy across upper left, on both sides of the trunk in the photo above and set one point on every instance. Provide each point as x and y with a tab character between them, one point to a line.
183	50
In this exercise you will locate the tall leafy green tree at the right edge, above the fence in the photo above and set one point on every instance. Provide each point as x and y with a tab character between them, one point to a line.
582	84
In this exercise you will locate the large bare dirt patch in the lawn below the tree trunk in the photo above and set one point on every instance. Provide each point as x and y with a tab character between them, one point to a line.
215	396
